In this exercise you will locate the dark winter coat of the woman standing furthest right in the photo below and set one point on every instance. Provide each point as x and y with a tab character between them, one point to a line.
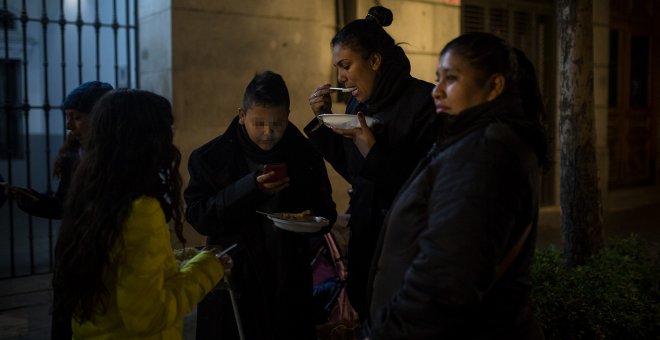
456	218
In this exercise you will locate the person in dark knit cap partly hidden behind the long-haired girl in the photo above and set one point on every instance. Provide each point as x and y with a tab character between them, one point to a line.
77	105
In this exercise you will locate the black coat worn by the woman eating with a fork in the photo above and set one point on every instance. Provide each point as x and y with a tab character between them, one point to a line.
406	132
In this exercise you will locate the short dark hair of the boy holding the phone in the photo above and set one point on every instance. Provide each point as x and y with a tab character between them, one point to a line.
266	89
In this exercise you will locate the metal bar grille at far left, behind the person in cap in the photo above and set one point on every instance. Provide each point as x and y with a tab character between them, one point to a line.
48	48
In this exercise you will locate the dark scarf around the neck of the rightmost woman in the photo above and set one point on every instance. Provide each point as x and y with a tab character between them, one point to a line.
506	109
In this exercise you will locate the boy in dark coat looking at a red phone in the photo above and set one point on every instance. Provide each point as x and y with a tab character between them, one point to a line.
271	277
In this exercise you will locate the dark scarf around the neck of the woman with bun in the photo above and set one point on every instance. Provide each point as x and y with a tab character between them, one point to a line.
389	83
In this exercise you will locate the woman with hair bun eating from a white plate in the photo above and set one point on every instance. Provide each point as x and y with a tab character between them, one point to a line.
375	161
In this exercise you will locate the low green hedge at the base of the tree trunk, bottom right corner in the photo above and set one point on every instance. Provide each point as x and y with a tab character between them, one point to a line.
615	295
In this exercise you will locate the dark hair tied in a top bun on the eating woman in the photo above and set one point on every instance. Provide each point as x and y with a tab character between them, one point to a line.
366	36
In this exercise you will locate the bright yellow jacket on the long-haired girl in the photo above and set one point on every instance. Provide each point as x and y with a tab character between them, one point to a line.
149	293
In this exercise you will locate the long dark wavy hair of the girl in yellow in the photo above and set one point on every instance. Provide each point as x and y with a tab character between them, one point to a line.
130	154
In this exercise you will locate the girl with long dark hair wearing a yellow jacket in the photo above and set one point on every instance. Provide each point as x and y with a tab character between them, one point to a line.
116	273
